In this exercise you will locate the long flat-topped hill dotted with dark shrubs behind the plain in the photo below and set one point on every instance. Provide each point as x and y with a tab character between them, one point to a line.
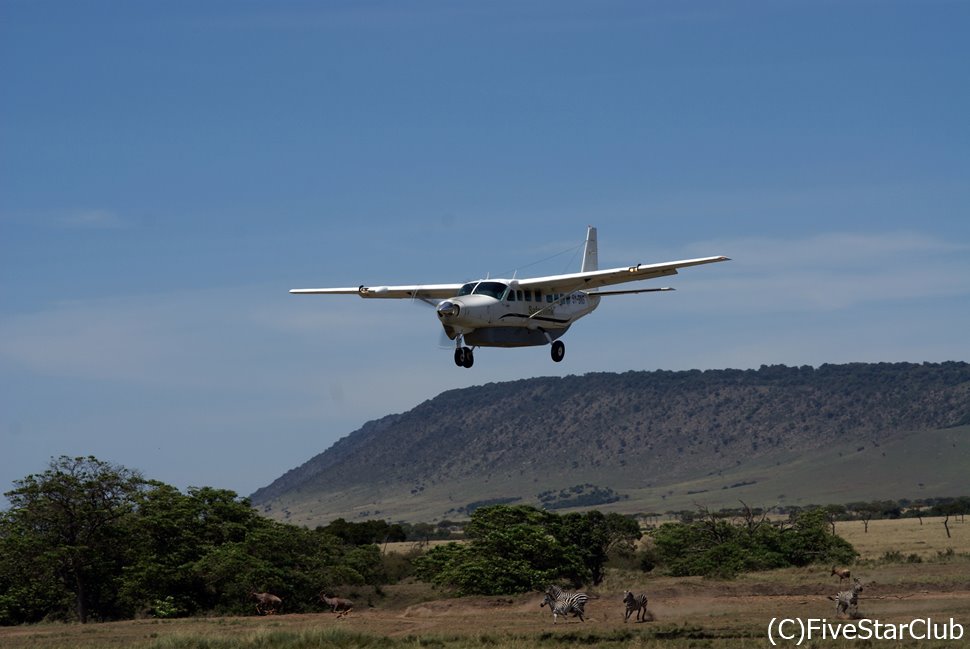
649	442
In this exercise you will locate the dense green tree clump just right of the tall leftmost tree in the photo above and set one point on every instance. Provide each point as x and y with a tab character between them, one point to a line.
207	550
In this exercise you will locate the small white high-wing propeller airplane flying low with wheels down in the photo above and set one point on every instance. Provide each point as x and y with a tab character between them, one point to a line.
520	312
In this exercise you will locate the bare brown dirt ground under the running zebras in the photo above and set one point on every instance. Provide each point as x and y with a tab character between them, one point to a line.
737	609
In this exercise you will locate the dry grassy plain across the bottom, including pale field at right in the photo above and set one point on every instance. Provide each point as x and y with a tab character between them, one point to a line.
686	612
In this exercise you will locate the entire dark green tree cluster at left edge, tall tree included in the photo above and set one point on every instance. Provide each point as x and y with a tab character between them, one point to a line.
88	540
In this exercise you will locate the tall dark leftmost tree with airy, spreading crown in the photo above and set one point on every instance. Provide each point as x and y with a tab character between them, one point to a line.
69	525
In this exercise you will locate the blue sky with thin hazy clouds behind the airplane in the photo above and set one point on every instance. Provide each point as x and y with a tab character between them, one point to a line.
168	170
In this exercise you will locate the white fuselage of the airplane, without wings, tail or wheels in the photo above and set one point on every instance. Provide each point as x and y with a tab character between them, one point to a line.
500	313
